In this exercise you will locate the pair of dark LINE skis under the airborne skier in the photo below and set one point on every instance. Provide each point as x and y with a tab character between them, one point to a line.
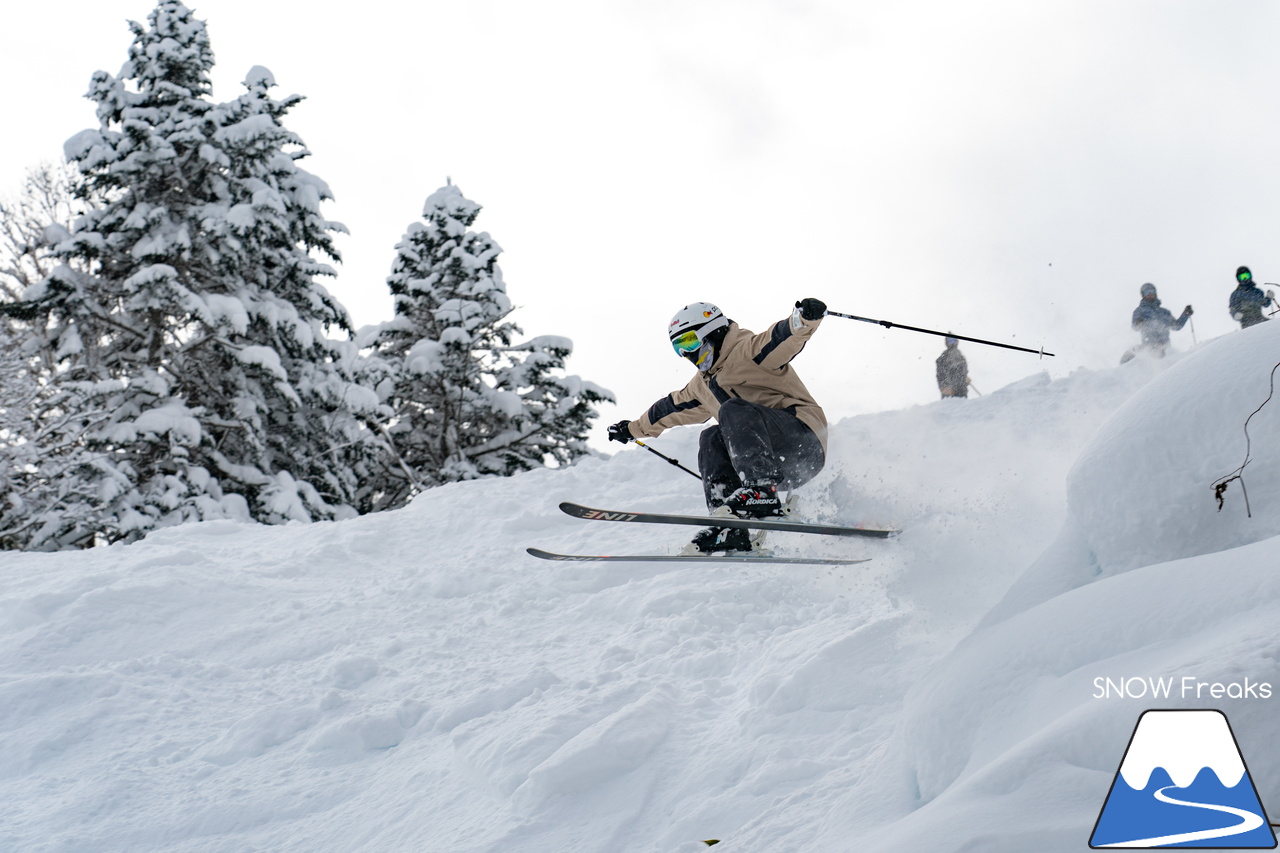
780	526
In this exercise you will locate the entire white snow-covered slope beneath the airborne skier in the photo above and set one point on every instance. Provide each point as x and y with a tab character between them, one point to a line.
415	682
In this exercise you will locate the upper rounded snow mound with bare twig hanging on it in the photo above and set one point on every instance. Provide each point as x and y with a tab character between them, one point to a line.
1142	492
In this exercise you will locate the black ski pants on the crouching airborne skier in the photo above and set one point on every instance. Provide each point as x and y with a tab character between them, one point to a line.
755	444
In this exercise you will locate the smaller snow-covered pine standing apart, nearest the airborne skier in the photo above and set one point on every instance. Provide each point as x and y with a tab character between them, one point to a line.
468	400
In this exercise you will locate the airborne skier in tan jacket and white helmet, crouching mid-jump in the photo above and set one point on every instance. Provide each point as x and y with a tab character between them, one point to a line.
771	434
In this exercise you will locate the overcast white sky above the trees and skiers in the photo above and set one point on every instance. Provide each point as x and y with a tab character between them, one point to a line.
1012	171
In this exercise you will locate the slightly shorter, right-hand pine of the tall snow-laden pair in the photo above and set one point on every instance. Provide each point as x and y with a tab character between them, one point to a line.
304	399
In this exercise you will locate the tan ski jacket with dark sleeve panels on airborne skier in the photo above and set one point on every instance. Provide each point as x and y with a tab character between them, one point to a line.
753	367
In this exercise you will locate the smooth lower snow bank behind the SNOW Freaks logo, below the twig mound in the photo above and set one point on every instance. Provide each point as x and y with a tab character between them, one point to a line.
1012	742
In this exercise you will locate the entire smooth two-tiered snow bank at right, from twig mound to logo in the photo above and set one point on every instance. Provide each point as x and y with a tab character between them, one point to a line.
1150	597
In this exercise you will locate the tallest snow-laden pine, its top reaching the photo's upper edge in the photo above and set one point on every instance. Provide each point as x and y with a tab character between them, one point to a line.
118	309
